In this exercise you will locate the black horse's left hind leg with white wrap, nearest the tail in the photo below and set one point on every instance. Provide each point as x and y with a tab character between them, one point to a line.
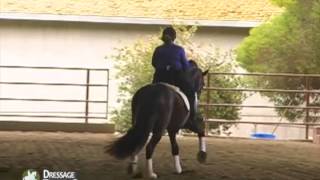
149	151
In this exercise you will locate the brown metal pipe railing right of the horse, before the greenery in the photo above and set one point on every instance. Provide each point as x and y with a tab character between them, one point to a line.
307	93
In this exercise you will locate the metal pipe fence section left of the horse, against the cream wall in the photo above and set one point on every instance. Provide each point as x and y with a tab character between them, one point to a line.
26	81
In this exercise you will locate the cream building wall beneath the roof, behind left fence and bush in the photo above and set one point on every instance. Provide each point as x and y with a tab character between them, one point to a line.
66	44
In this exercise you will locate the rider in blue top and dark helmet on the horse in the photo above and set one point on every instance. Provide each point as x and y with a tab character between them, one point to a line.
170	63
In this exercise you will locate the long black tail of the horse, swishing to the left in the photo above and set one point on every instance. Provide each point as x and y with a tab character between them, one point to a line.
136	137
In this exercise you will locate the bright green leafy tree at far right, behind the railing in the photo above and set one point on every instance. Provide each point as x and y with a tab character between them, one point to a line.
289	43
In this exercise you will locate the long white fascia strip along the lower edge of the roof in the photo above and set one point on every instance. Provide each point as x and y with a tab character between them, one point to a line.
126	20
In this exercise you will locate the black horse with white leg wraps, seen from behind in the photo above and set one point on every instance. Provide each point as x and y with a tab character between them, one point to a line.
155	109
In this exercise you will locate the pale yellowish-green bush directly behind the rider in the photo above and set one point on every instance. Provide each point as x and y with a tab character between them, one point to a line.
133	64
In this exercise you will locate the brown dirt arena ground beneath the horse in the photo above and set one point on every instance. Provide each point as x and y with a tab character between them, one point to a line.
236	159
